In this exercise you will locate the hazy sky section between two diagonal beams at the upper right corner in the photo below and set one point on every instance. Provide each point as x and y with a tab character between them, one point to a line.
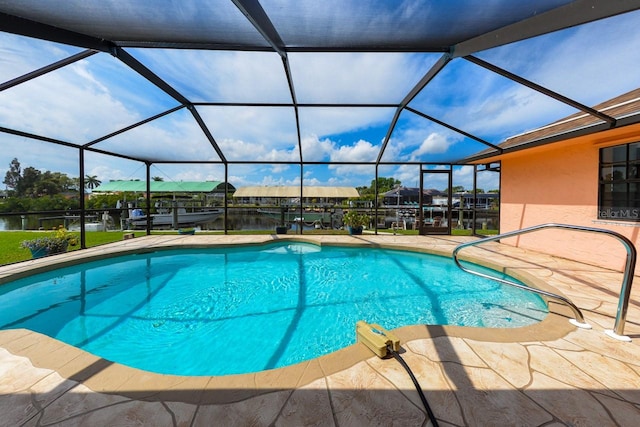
589	63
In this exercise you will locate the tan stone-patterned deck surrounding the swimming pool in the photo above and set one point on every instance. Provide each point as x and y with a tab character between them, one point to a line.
548	374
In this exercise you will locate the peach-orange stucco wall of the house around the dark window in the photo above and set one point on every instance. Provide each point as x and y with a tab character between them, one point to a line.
559	183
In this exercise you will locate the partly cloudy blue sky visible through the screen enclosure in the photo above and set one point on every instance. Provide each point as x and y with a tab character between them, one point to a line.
98	95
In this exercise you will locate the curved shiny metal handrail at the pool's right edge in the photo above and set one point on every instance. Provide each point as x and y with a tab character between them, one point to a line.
627	280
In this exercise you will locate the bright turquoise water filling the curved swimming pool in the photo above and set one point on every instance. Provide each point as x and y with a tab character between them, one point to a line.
239	310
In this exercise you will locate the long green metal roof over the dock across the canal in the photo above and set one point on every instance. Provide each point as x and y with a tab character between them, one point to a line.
163	187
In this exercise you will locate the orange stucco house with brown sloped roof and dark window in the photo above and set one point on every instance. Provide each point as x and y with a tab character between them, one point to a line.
586	180
